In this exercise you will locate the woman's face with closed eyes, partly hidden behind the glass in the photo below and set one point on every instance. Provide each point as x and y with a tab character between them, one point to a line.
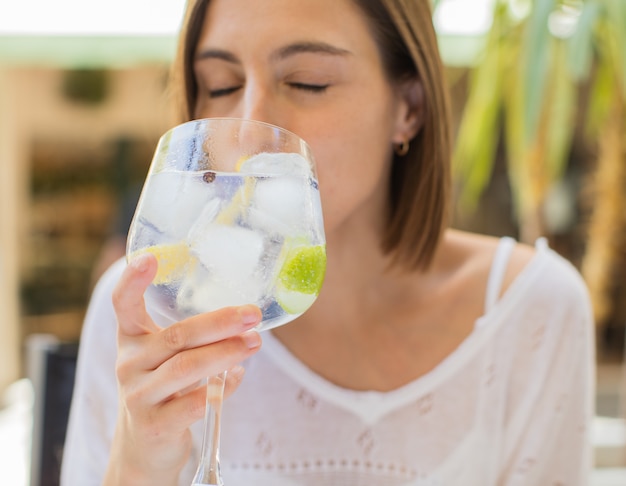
312	67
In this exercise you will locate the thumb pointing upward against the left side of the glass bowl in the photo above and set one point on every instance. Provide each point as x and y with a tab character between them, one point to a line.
133	320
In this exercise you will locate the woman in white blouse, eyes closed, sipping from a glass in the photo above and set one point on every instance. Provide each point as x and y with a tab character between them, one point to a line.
431	356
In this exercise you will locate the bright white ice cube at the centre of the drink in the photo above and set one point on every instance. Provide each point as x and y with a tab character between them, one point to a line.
230	253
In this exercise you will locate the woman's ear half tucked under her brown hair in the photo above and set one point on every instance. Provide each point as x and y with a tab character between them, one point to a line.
410	112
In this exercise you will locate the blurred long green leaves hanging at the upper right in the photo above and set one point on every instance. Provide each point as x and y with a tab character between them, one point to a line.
529	78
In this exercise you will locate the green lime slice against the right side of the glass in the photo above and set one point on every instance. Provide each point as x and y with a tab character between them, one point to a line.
300	278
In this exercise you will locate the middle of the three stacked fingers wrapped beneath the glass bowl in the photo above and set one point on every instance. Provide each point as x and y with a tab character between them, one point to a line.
188	367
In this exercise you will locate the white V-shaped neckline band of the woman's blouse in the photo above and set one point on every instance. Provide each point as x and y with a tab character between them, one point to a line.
371	405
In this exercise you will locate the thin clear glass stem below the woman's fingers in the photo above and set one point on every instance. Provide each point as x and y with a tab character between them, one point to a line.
209	468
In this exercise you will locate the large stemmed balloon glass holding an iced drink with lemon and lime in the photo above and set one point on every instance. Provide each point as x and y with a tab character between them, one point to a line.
231	210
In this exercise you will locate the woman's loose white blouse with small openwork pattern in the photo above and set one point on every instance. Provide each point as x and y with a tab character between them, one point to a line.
512	405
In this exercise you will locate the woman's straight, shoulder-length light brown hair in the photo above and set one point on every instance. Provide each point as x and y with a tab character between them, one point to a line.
419	191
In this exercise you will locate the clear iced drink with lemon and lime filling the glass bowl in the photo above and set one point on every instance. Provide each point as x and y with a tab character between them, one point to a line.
232	238
